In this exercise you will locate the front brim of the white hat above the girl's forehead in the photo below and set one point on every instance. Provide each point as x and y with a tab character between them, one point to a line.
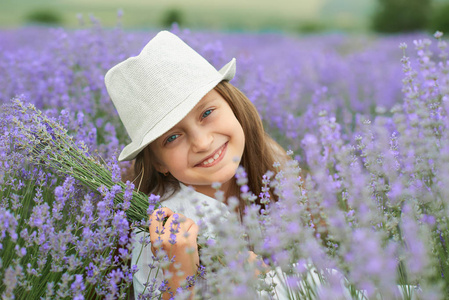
174	116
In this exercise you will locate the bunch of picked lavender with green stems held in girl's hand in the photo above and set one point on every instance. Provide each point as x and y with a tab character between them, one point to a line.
46	143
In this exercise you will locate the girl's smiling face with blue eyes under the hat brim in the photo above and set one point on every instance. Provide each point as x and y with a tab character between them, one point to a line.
204	147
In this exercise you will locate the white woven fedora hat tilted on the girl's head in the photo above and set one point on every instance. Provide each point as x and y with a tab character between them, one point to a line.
156	89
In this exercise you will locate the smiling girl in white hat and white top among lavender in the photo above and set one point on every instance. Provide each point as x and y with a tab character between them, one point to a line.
189	127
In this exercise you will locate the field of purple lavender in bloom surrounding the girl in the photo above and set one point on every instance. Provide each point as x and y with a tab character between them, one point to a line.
364	204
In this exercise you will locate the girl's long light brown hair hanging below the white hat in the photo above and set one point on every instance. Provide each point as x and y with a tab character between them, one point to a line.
259	155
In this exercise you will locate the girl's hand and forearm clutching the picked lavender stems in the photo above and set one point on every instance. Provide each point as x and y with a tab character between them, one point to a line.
177	236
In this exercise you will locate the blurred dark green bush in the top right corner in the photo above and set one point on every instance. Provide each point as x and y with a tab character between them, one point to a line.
392	16
